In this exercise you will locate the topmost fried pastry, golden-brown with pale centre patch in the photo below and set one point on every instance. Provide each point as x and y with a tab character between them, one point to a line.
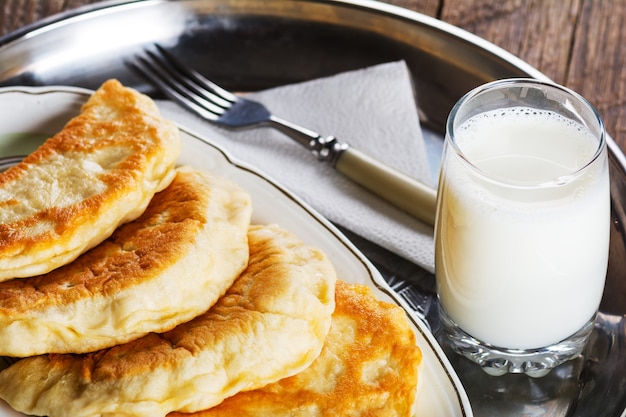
100	171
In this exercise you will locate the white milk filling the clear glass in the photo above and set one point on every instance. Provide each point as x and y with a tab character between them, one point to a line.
522	237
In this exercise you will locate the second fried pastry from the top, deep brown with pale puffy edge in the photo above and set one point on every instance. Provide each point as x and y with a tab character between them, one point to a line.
166	267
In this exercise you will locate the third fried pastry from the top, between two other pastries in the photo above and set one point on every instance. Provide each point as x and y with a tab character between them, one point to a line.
270	324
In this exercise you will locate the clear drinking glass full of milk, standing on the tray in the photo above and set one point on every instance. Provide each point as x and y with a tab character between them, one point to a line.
522	229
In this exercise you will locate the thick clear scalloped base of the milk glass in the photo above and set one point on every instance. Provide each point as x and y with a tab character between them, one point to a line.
498	361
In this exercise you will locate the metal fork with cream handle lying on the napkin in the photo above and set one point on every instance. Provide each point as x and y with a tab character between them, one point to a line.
219	106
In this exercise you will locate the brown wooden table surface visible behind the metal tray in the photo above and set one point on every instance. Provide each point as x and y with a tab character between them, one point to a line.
578	43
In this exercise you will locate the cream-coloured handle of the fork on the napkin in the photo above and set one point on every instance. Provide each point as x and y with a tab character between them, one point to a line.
404	192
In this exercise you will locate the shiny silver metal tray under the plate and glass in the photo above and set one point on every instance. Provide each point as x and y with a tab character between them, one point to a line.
249	45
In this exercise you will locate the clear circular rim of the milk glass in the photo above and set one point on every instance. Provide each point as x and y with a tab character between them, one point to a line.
554	182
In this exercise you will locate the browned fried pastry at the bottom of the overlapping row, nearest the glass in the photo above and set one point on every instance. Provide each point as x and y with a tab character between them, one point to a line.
368	367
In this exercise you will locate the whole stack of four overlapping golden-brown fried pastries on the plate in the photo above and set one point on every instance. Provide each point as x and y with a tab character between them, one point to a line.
133	287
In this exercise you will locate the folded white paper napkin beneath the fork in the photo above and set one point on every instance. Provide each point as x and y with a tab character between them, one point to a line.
372	109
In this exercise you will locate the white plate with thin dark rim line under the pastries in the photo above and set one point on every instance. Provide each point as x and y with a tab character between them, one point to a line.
29	112
